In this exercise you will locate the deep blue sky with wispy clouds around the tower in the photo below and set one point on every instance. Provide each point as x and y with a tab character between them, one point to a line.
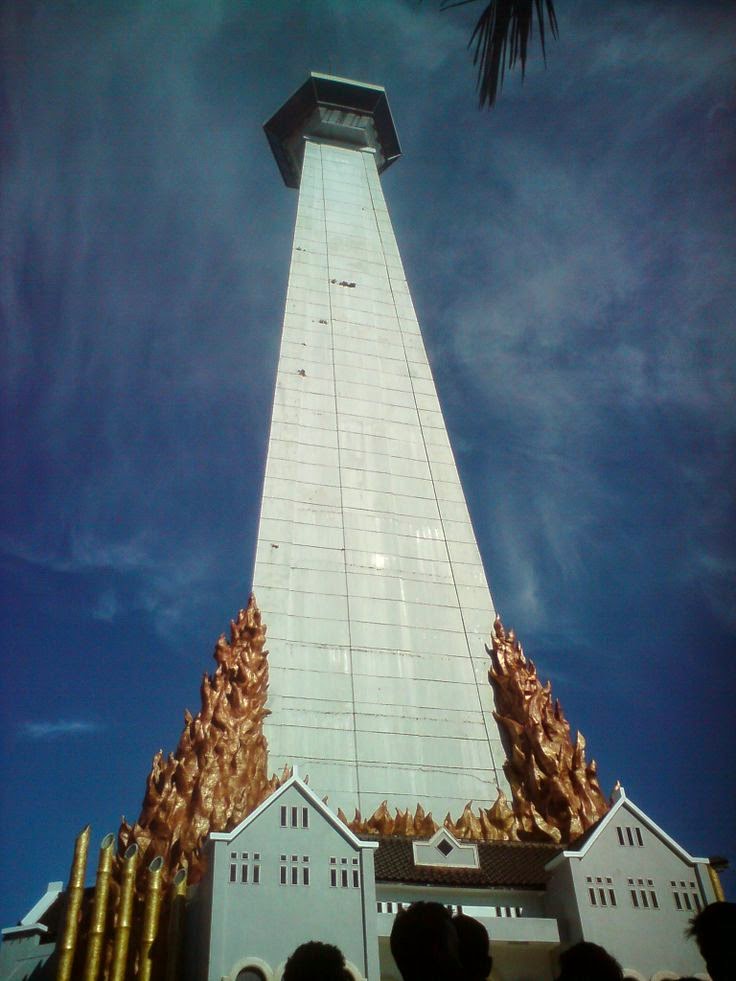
571	257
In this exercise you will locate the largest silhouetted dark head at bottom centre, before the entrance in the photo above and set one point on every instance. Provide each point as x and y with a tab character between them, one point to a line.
425	945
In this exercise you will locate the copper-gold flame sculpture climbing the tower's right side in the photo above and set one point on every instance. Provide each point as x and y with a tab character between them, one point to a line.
556	794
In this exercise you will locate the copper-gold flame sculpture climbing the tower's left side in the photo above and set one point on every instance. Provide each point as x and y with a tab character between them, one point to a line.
219	772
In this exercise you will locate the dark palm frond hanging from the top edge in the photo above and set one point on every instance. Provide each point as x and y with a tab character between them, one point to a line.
501	38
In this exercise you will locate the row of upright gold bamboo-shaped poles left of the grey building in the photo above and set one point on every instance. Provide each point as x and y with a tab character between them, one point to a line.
109	933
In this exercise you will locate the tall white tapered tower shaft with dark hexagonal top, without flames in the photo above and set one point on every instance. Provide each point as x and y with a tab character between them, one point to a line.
367	570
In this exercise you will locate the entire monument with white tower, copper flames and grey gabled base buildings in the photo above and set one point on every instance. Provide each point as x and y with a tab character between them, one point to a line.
368	576
